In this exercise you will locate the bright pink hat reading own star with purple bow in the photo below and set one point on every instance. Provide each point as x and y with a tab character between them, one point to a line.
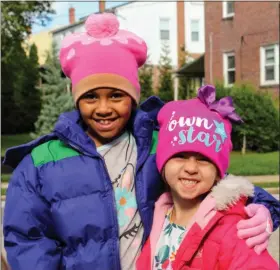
199	125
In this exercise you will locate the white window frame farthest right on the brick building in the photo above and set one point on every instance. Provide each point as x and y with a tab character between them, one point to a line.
275	65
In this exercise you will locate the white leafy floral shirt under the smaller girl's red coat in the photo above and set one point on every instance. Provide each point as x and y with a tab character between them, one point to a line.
168	243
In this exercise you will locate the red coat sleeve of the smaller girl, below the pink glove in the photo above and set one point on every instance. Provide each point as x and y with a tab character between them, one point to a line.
235	254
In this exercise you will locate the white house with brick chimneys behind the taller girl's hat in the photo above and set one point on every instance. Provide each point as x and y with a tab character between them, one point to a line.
180	25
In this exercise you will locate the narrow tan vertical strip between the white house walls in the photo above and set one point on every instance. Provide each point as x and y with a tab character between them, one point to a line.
180	31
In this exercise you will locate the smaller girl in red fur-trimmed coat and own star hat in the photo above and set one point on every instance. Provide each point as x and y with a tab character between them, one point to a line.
195	222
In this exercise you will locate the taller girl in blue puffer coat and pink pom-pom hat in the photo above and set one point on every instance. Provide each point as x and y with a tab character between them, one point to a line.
83	196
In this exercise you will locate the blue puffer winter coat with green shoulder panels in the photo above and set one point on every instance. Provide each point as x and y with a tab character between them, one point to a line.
60	210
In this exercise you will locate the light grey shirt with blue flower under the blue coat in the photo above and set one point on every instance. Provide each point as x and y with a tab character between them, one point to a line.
120	157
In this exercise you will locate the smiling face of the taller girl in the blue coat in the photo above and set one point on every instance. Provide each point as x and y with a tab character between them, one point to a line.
106	113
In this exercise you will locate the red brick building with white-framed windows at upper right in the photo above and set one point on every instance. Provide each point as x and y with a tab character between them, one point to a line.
242	43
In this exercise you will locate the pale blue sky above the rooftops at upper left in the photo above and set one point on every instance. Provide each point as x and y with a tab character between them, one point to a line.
82	9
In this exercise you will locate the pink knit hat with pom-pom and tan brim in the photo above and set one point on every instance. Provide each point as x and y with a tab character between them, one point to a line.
103	56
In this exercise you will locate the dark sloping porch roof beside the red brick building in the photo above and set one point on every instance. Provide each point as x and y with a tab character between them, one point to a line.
193	69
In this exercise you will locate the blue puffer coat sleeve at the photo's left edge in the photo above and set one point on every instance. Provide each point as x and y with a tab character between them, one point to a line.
28	231
